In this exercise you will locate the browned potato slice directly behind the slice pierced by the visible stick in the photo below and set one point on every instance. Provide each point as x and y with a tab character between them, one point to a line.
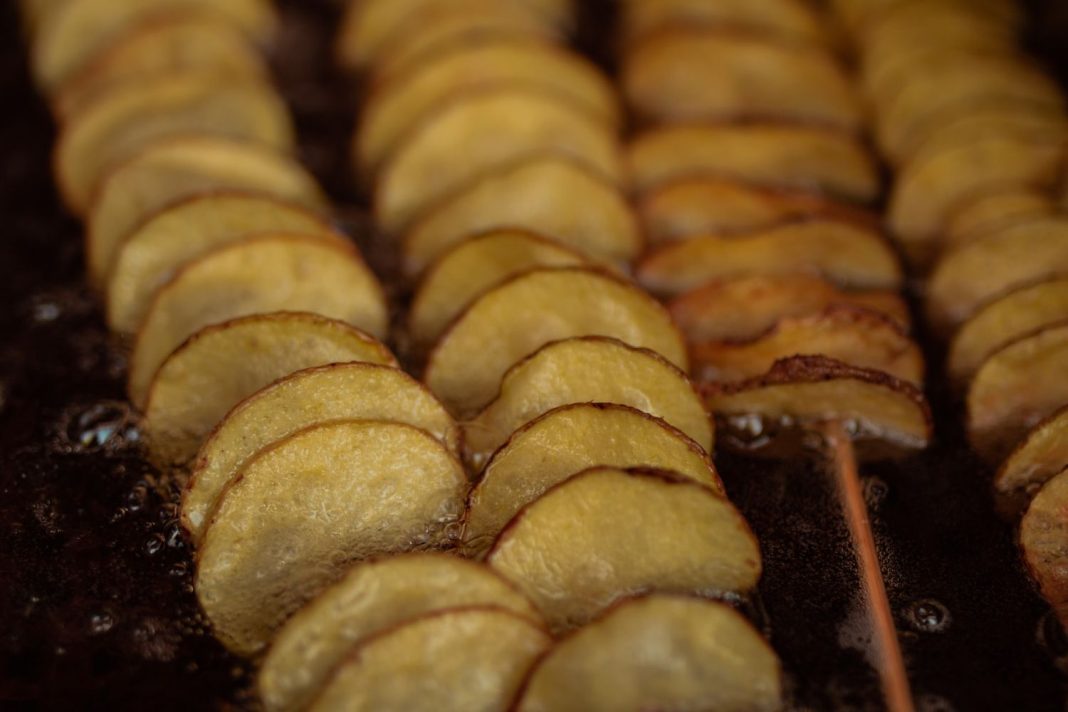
854	336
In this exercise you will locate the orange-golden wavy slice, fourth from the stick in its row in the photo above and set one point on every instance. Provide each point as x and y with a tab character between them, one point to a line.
846	254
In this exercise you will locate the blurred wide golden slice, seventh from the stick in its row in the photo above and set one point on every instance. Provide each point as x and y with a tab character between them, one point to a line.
692	74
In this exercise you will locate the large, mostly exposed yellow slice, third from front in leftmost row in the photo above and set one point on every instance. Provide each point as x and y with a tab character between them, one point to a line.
308	505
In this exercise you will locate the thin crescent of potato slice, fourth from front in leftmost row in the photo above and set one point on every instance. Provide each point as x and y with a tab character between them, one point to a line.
336	392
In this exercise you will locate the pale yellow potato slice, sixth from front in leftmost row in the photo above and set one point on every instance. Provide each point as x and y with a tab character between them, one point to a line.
257	276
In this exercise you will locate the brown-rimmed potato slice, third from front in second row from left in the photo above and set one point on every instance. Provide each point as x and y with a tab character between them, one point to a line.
567	440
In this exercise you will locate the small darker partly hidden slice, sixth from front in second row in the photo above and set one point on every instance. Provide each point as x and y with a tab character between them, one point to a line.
473	267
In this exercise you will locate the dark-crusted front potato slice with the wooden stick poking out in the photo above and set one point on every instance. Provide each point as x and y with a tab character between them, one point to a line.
884	415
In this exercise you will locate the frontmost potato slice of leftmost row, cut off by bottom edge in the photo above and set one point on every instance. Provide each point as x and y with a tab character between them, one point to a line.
461	659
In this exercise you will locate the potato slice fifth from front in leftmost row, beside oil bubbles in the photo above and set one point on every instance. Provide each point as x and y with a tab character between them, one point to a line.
223	366
